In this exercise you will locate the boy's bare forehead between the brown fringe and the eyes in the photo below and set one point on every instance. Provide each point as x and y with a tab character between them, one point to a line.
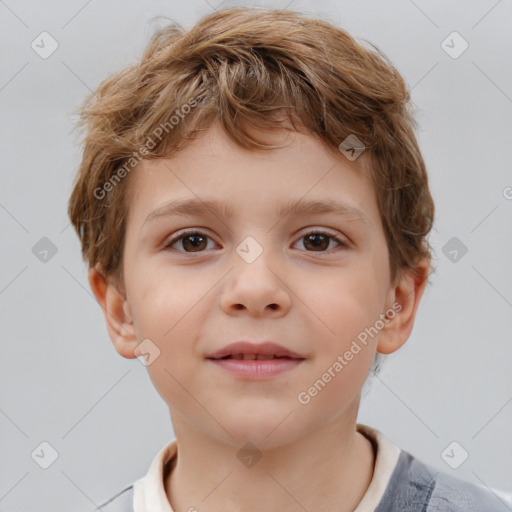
214	171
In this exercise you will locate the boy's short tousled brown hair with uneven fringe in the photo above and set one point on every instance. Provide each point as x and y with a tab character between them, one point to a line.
246	67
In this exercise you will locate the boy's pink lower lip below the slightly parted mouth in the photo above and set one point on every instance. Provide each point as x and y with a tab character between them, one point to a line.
256	369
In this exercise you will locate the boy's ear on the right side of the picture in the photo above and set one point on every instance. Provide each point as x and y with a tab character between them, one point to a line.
404	299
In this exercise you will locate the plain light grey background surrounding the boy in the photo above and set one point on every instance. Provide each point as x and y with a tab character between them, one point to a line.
62	381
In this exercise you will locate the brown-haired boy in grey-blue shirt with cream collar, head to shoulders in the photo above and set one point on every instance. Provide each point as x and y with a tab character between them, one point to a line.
254	207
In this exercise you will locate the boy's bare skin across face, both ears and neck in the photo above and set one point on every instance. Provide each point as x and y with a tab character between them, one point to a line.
314	302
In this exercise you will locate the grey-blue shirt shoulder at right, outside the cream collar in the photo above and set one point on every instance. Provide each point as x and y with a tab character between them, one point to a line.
416	486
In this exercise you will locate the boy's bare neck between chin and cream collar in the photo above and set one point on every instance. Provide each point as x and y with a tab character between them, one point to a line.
329	469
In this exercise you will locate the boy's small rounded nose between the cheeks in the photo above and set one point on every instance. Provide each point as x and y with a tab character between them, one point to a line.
257	288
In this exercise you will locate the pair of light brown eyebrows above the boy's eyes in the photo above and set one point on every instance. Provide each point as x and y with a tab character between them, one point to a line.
294	207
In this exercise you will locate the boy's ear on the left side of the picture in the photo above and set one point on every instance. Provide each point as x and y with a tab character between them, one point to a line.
117	314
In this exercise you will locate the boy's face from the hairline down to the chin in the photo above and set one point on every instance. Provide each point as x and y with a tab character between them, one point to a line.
201	295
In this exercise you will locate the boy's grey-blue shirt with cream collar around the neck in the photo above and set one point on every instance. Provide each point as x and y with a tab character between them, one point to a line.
400	483
